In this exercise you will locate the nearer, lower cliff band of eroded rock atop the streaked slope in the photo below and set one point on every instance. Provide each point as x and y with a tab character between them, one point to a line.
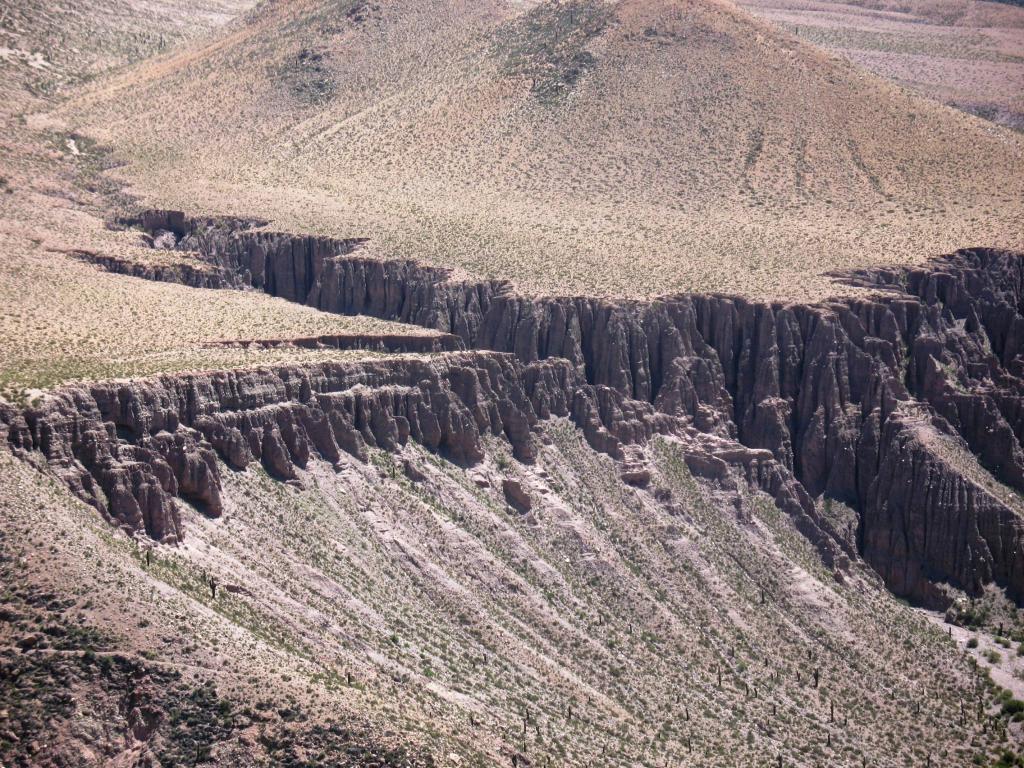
131	448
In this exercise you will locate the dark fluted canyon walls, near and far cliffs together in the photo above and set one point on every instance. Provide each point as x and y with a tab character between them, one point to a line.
904	403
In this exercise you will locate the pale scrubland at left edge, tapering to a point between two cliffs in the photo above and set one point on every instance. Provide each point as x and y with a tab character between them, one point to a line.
63	319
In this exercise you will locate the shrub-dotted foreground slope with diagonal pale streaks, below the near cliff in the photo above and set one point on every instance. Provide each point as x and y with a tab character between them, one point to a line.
507	615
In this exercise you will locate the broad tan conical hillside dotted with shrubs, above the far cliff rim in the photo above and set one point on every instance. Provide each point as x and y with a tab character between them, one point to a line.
634	148
